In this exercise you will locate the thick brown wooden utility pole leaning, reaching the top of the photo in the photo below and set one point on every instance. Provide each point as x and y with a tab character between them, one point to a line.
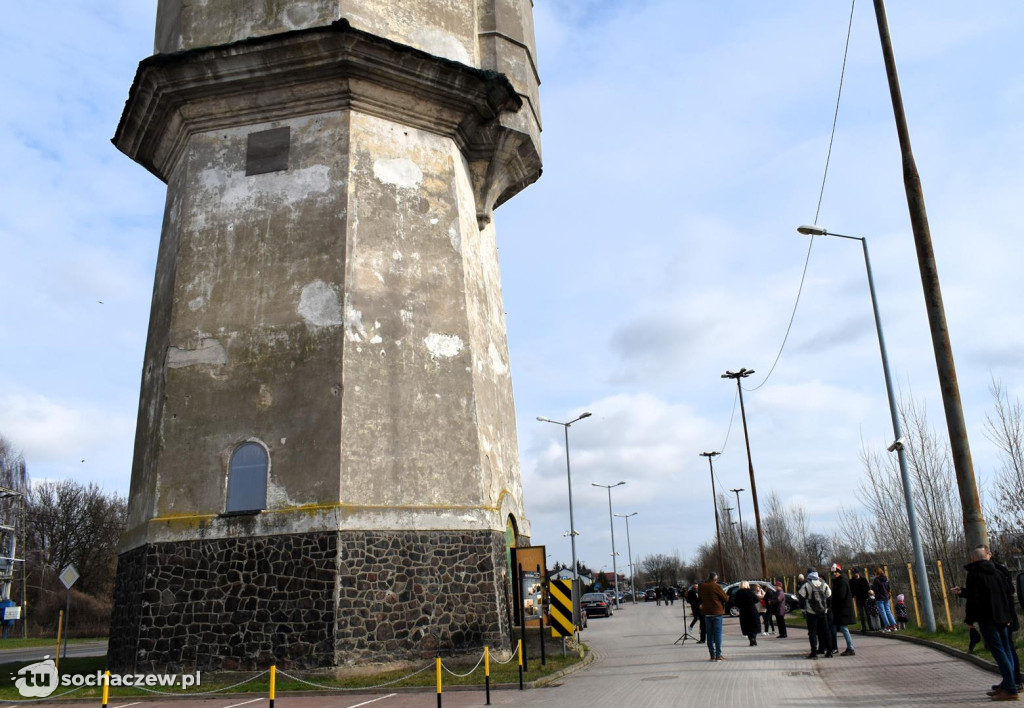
975	532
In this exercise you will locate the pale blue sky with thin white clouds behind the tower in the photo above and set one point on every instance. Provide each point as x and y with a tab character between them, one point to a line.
684	144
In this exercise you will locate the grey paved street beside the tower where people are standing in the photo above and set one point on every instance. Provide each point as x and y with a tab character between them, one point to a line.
638	665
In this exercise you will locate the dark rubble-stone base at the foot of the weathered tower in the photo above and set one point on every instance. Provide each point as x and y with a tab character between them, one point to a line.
309	601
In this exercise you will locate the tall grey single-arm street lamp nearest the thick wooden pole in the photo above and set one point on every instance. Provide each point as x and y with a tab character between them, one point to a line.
912	516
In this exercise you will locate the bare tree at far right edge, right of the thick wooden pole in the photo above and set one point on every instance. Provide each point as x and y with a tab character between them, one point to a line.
1006	429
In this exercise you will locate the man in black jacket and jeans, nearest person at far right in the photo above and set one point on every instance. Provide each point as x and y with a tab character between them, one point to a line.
990	605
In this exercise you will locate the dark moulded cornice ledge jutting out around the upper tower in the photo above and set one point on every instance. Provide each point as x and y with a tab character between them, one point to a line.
332	68
